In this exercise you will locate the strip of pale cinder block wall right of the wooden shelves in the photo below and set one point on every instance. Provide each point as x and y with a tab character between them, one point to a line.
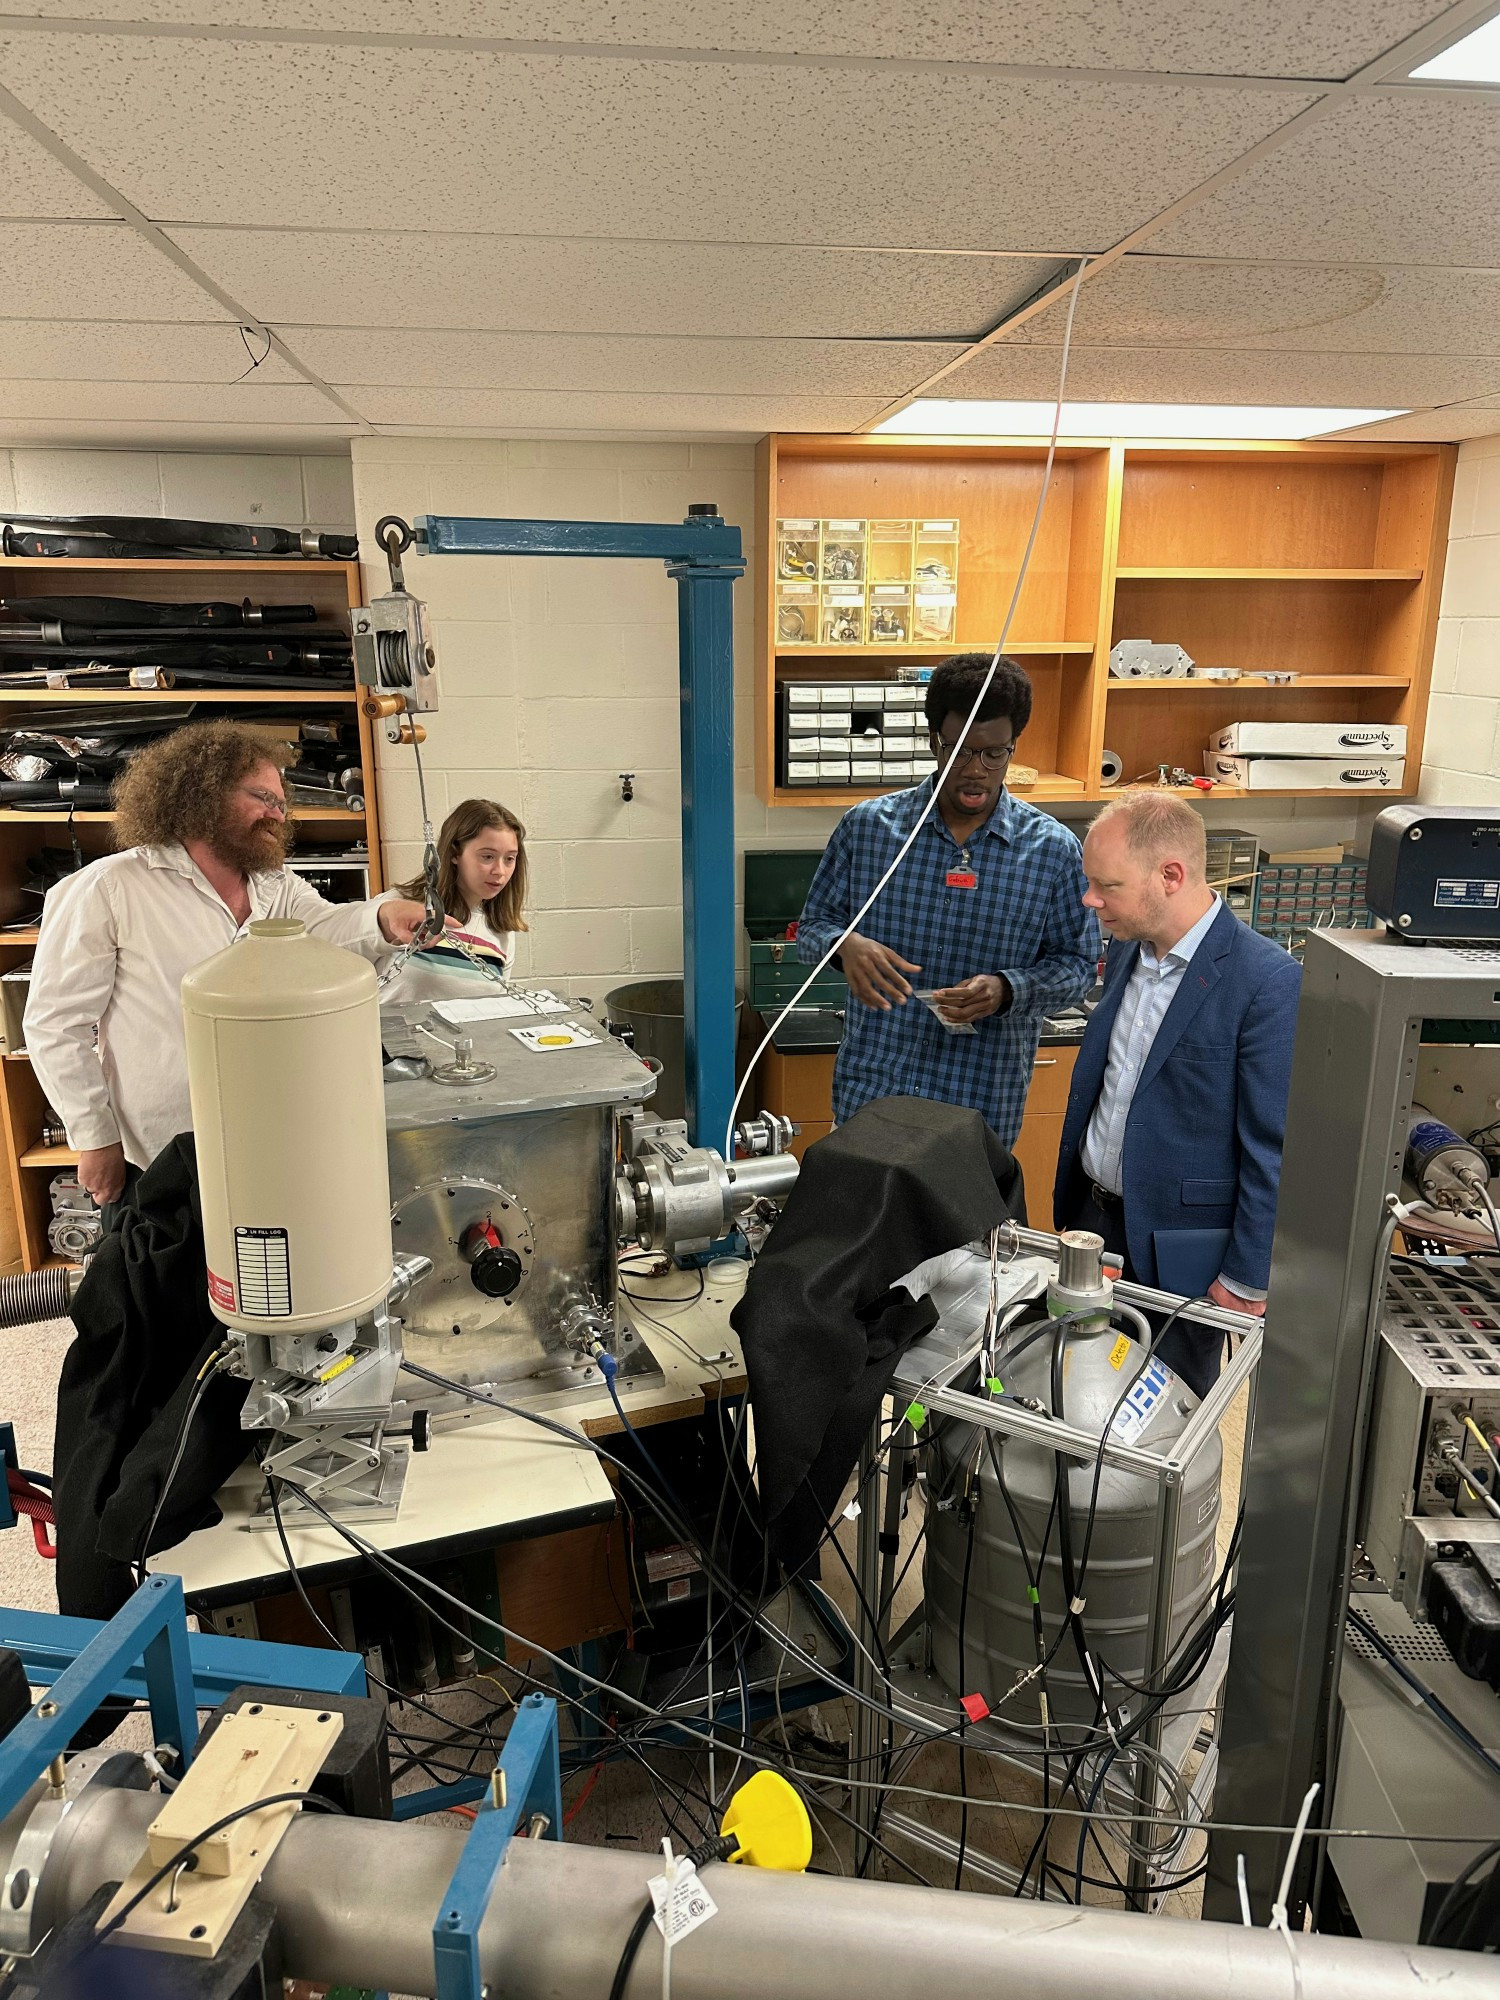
1461	757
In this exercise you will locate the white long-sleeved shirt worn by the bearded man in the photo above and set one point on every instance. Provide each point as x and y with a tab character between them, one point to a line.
105	1011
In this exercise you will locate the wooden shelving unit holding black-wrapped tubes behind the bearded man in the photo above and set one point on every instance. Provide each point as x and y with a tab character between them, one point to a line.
333	589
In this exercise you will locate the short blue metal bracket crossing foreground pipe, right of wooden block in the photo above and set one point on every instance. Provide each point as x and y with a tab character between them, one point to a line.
533	1783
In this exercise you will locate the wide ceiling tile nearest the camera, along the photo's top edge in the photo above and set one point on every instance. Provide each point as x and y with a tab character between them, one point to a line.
1151	35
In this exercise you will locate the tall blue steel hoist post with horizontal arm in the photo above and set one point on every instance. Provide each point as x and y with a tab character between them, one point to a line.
705	557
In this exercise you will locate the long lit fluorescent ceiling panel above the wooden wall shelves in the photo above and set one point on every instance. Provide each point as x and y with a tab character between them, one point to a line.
939	417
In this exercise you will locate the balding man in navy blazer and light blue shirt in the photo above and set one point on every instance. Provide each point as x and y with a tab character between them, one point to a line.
1173	1141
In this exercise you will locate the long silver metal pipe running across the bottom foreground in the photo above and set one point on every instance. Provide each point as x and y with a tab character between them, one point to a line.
357	1901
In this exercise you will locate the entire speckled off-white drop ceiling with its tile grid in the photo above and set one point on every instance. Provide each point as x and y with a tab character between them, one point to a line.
617	289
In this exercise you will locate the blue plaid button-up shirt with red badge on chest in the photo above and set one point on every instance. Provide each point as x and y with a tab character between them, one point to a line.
1023	919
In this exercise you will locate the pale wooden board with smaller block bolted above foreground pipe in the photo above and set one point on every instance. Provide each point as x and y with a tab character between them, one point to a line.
255	1753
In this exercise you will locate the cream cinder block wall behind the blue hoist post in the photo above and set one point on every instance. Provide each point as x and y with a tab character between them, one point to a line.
561	675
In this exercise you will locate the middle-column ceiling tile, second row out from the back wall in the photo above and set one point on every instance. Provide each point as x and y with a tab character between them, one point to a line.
617	367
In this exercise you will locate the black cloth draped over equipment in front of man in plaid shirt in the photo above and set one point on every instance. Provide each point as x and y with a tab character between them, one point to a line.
823	1319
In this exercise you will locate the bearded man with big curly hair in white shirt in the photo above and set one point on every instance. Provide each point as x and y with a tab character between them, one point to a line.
203	825
